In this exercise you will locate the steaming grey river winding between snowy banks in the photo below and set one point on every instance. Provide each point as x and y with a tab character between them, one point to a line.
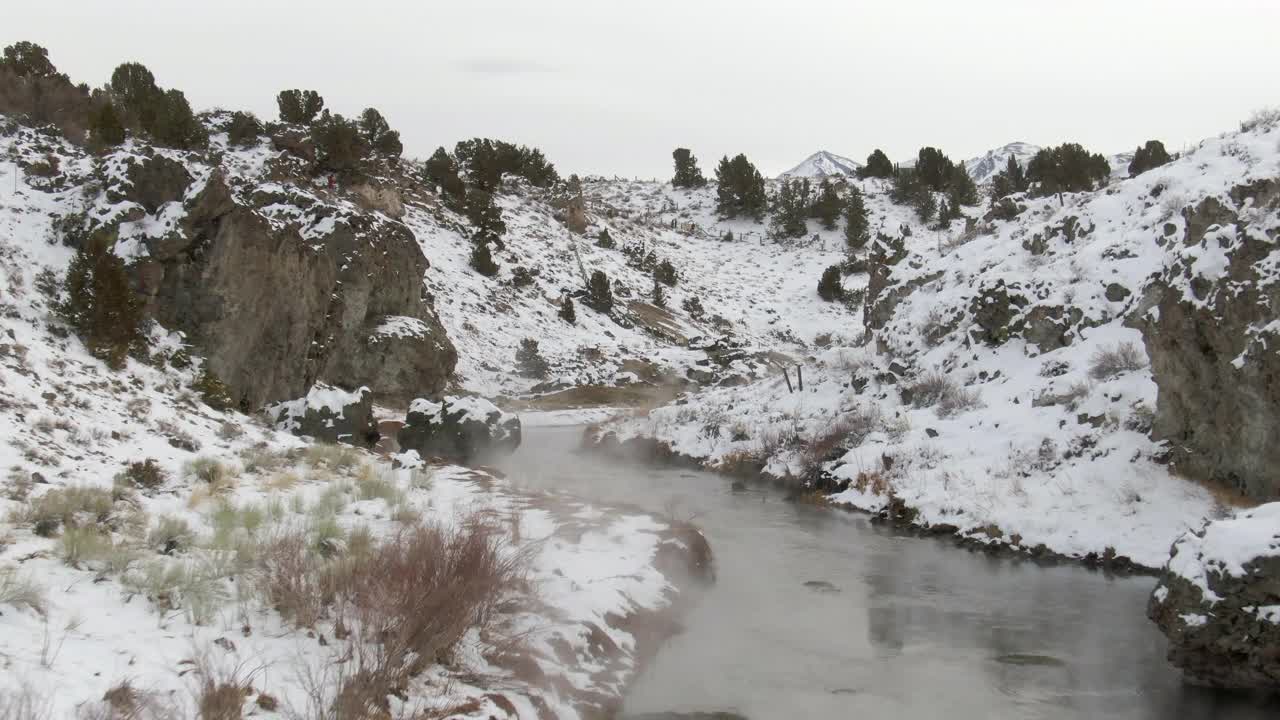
890	626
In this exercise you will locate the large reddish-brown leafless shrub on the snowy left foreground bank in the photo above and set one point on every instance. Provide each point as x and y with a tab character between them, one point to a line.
403	603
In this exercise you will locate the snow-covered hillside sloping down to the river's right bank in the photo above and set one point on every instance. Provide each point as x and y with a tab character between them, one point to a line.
1003	388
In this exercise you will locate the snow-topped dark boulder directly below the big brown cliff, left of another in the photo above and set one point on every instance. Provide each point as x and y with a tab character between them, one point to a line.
330	414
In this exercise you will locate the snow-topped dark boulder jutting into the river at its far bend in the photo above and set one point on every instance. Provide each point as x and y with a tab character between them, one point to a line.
459	429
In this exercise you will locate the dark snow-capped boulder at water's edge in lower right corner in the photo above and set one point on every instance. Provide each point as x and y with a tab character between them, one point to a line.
1219	603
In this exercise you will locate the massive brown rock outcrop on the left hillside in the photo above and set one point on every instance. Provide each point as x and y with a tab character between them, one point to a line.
278	304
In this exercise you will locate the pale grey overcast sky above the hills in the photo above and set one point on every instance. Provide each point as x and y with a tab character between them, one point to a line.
612	86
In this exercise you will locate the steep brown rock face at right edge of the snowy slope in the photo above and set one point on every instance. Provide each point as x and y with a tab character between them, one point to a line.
1213	338
